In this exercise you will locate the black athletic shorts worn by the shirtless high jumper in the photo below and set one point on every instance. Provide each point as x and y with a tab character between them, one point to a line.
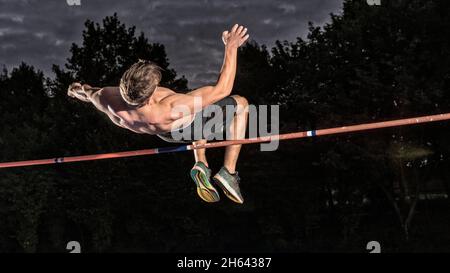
201	129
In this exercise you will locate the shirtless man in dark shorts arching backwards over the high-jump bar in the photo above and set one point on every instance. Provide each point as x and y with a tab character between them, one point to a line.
142	106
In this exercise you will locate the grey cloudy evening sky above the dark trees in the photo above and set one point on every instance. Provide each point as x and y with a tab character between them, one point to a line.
41	32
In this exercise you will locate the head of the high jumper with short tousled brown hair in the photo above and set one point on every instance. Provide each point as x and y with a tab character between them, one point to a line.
139	82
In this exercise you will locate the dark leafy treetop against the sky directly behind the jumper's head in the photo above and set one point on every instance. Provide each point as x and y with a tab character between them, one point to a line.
109	49
